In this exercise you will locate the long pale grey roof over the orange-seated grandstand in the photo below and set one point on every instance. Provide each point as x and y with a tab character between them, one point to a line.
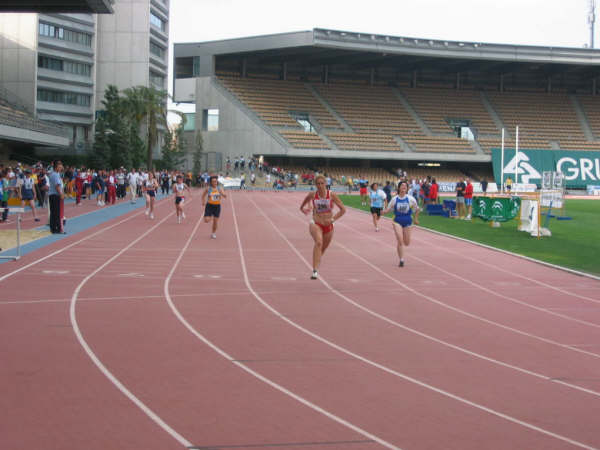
323	47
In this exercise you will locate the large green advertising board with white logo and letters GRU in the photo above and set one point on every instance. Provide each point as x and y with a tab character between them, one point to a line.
579	168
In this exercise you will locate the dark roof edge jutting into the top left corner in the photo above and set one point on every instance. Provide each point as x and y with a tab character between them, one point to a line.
58	6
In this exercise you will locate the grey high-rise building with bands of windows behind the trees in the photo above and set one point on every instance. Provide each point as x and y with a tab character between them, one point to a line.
59	64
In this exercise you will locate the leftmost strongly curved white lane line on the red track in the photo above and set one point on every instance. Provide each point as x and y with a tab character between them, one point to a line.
151	414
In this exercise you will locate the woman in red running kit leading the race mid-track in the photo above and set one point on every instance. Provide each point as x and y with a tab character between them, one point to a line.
321	225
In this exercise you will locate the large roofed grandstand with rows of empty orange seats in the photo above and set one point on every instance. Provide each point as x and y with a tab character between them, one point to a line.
326	98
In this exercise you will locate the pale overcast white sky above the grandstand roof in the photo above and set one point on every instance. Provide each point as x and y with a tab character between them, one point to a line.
554	23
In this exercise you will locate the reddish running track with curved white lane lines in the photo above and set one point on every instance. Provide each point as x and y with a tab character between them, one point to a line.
140	334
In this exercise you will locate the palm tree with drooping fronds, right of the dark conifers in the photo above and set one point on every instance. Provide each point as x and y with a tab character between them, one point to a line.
147	106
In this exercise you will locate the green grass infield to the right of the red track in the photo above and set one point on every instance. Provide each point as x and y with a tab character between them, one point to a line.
574	243
